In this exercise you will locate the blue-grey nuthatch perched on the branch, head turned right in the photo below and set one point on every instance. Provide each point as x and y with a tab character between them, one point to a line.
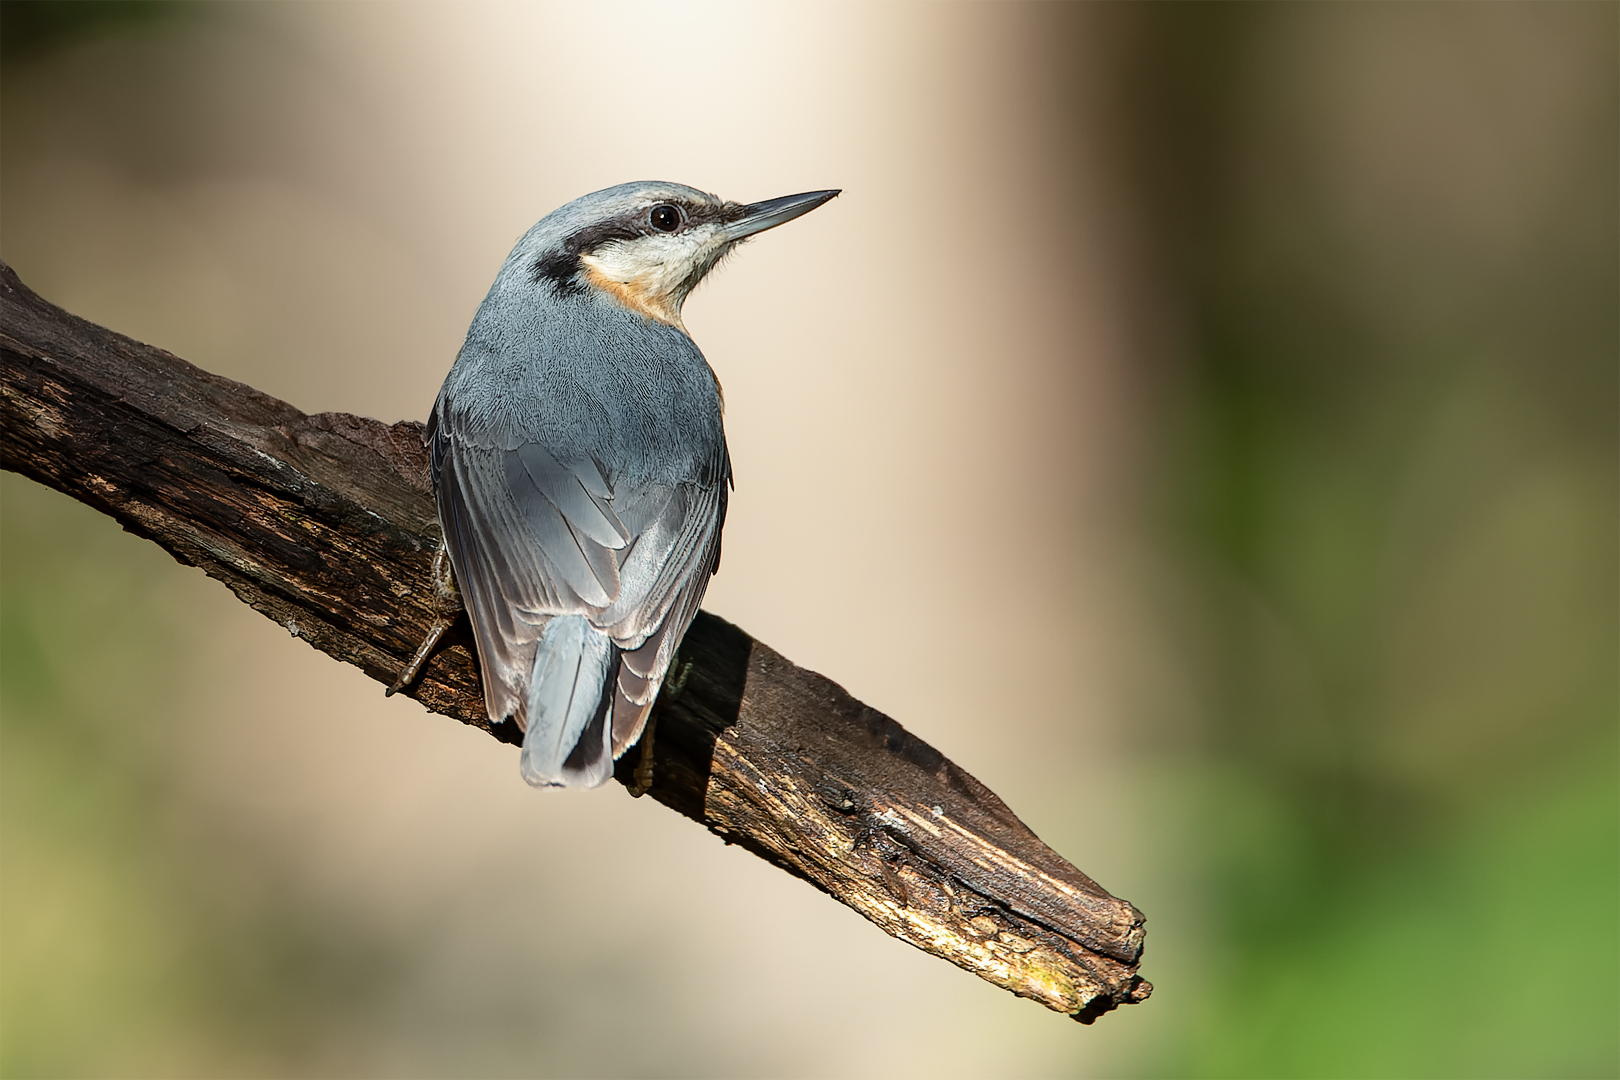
581	467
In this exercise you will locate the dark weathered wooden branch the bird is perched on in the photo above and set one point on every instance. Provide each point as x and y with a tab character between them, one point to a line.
326	525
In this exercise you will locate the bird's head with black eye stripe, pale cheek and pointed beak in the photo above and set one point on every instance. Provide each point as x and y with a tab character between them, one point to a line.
646	245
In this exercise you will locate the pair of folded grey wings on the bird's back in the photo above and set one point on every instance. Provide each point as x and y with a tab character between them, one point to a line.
532	538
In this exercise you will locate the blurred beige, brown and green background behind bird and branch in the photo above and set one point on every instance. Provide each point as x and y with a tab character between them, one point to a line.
1198	422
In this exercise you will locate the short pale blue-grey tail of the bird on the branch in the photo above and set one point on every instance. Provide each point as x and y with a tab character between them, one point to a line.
571	689
